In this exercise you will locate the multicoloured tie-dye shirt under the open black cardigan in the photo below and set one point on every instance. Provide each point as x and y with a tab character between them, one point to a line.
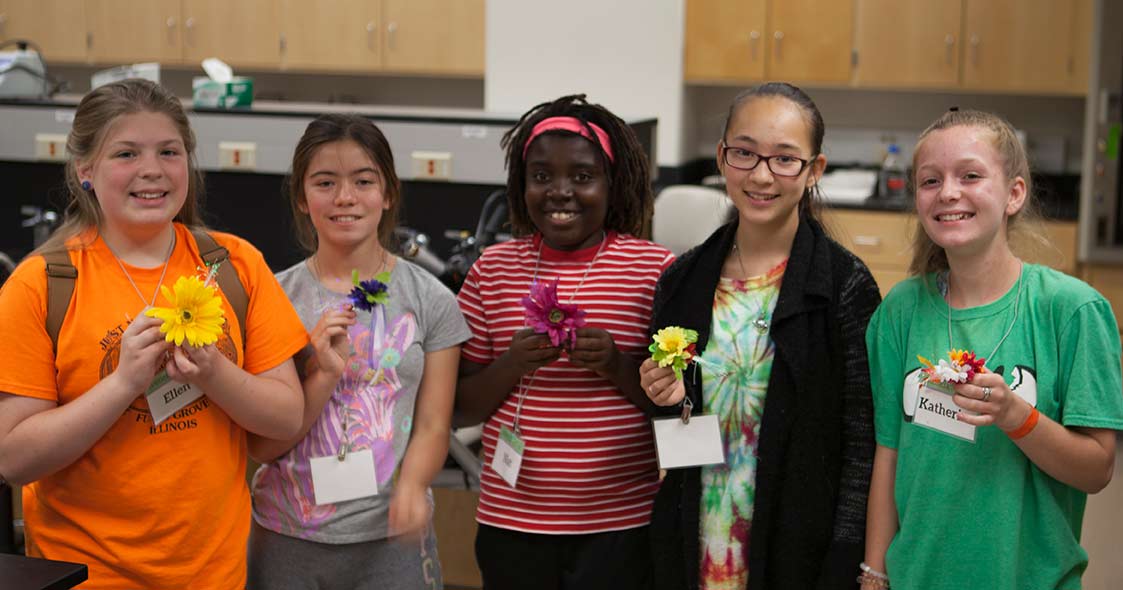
735	382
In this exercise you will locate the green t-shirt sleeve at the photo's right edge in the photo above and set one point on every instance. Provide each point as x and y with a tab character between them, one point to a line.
1090	374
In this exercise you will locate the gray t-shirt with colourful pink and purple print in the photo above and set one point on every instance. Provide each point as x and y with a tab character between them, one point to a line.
378	392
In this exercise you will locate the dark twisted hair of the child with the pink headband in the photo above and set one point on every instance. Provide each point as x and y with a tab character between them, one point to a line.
631	197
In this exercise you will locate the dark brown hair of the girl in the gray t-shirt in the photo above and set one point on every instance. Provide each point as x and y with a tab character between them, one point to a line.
330	129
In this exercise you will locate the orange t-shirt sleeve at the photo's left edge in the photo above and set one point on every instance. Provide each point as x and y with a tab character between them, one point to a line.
28	357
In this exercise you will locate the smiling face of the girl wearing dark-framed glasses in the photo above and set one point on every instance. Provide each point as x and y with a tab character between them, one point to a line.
770	126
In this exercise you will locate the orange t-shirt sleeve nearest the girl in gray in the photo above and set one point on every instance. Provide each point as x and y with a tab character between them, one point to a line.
273	330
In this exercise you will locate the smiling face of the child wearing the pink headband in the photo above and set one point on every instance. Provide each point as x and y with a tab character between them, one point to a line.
568	190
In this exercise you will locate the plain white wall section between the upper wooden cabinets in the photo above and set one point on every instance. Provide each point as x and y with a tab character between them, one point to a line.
625	55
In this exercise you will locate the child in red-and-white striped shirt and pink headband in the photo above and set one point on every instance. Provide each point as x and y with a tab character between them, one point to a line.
573	503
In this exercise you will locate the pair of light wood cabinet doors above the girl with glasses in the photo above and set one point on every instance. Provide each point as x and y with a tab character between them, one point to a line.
733	41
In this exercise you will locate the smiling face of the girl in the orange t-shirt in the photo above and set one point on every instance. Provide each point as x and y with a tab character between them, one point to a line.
139	175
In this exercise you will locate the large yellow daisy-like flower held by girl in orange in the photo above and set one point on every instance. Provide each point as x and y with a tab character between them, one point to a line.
196	314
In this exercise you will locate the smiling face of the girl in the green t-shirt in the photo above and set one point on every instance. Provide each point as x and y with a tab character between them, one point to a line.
964	197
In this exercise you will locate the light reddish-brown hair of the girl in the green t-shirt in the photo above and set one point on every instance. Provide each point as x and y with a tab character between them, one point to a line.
1025	231
